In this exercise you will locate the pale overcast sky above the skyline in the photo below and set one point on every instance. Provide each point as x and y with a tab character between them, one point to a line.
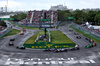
46	4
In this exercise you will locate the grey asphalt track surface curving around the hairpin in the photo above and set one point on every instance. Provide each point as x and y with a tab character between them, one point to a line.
11	56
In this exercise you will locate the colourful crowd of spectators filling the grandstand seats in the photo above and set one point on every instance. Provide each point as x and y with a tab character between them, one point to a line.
40	15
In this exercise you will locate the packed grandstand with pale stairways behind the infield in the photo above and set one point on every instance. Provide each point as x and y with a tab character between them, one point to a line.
34	16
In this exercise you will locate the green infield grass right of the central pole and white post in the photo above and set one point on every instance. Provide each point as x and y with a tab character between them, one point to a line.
59	37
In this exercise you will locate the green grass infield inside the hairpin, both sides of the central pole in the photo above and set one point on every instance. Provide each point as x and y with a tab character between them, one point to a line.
56	37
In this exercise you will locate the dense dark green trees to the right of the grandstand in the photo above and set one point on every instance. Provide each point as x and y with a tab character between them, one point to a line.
80	16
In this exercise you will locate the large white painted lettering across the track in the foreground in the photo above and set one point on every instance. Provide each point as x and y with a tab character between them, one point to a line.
46	61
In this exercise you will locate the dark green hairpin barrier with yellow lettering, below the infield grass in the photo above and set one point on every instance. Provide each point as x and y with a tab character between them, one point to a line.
46	45
